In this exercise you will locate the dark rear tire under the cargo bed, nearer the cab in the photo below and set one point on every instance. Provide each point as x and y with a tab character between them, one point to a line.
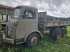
56	33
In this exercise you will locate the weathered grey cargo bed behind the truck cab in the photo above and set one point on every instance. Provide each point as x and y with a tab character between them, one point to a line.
45	20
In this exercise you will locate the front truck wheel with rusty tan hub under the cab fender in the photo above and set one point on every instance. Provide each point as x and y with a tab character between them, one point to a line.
33	39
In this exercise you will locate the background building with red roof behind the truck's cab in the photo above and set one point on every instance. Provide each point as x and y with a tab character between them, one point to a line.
5	11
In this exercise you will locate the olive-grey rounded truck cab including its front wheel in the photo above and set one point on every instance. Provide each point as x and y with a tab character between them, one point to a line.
22	27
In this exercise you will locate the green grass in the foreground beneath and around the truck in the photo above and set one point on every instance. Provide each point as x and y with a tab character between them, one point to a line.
46	45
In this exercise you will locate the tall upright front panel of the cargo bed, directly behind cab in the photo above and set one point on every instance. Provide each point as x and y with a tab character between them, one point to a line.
41	21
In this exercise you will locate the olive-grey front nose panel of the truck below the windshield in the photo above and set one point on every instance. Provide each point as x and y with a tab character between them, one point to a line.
11	27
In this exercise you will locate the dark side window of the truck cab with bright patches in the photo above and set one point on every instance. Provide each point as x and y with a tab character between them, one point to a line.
29	15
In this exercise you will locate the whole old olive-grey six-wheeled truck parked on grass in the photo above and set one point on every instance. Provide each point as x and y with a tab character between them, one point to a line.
27	25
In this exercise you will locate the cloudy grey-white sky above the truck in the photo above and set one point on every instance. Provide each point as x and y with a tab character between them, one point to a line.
58	8
